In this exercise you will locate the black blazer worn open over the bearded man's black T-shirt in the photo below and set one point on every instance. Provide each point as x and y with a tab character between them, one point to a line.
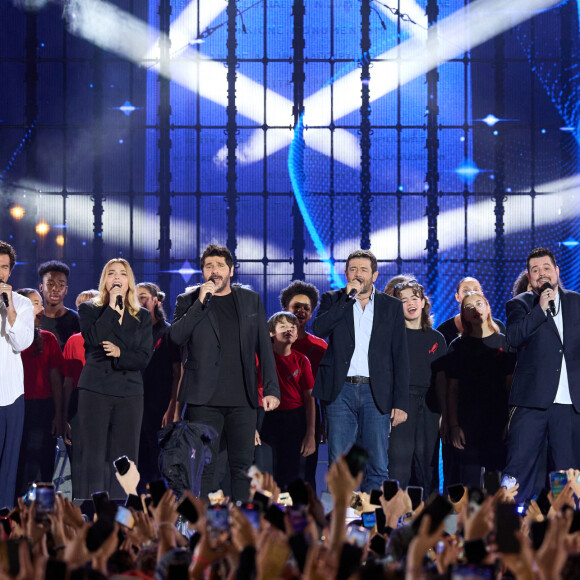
197	328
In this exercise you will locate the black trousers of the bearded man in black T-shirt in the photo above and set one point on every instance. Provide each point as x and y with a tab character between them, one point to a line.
238	424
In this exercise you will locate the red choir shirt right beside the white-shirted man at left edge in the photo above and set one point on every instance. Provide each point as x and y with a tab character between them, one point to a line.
37	367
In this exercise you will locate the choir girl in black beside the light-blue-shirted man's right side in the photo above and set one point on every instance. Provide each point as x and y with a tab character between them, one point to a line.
414	443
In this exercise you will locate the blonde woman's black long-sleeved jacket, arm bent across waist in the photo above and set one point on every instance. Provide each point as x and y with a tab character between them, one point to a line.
120	377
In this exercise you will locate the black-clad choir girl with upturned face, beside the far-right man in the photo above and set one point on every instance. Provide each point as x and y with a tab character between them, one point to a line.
479	370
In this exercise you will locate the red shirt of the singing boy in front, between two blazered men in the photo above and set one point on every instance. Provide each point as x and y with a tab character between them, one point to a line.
294	377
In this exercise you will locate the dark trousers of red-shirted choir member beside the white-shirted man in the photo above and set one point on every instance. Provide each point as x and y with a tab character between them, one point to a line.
37	449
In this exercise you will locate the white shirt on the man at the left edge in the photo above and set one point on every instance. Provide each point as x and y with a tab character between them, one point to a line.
13	340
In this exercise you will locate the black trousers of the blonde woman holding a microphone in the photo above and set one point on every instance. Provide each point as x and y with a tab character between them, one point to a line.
109	427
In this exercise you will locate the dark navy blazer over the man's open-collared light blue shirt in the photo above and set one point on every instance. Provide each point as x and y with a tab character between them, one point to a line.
388	357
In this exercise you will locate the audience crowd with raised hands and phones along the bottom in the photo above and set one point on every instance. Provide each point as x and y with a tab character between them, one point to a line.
295	535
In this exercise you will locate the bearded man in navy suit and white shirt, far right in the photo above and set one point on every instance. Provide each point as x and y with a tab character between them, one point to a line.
544	325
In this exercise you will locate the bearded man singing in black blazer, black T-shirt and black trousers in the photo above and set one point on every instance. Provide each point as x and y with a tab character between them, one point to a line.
223	327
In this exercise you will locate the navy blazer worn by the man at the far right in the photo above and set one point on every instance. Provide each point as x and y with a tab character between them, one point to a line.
537	340
